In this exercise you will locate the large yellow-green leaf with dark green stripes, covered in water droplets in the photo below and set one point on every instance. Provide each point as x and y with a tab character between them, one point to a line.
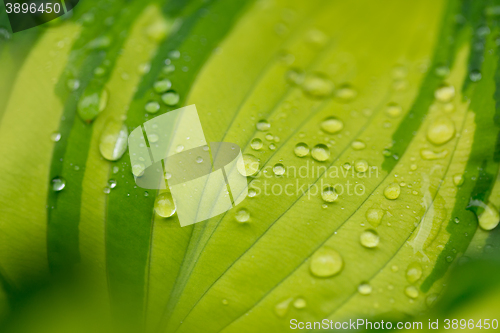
409	93
